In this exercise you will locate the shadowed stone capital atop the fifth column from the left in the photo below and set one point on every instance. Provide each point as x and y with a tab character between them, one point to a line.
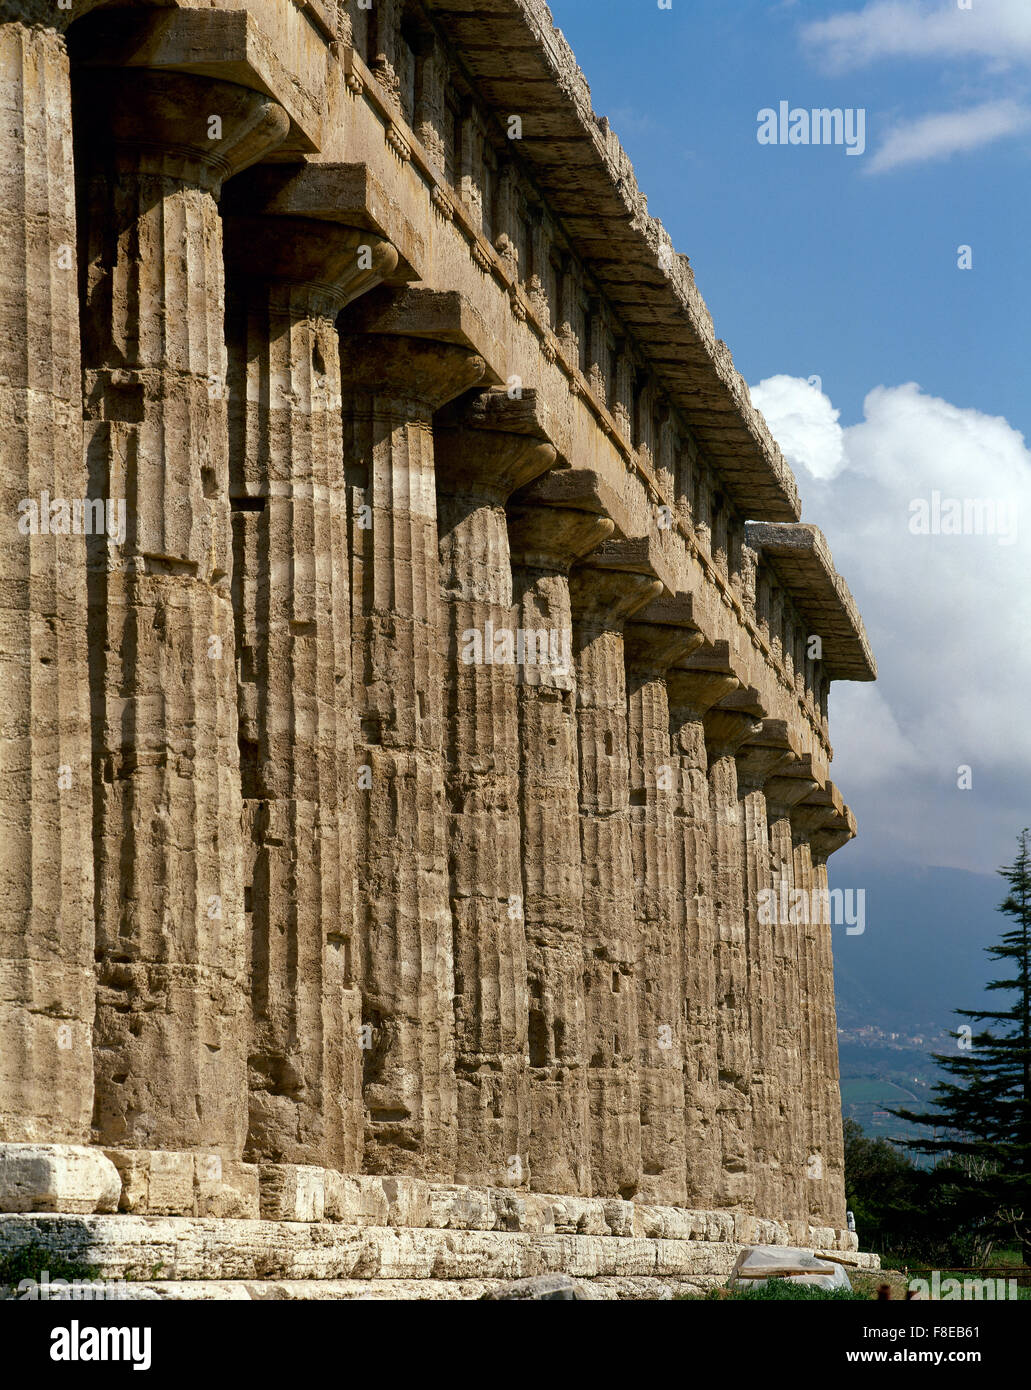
488	445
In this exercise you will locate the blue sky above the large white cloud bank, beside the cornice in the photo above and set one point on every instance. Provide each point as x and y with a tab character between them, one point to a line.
811	265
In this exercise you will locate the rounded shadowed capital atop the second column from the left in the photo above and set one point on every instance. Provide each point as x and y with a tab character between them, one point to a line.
151	122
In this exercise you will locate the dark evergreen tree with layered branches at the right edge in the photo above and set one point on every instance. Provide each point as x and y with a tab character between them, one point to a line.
983	1114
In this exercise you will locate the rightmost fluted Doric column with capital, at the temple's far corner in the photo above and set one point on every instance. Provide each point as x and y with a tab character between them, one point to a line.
837	832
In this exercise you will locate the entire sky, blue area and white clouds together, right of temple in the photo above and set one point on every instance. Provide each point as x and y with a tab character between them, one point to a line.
816	263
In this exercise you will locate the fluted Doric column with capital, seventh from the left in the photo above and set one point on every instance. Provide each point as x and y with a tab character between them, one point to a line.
612	584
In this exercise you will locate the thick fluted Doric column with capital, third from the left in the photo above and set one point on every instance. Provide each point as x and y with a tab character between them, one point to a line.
290	277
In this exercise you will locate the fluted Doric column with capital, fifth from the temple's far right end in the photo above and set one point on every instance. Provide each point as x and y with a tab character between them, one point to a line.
729	725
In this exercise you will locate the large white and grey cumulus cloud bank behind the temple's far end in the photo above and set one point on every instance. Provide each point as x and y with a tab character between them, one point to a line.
948	615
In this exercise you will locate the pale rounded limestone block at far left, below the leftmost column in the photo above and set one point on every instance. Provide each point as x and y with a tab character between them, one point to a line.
56	1178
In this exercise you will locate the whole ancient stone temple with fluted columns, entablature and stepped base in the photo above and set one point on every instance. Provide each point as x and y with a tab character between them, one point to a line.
415	678
